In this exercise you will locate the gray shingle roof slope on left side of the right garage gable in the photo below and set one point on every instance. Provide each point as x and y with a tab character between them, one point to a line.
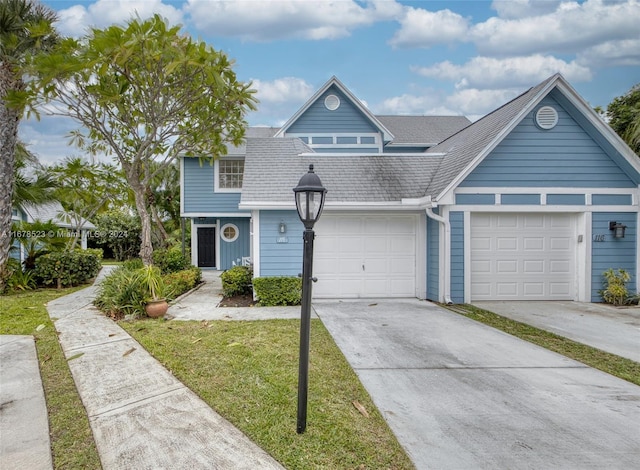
463	147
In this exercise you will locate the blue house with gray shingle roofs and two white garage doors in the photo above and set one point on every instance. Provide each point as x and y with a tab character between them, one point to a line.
520	205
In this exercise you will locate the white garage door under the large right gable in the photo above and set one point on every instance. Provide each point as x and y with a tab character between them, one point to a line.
522	257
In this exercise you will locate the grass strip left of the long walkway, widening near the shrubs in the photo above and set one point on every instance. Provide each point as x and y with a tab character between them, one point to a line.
72	442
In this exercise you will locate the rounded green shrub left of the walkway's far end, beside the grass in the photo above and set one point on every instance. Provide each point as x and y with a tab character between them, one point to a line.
66	268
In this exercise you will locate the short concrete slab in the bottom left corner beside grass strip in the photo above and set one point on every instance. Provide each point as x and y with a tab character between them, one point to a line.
24	426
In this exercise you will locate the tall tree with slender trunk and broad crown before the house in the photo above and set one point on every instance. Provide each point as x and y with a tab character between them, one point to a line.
147	93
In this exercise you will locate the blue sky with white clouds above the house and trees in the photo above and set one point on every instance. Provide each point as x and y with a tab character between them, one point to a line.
398	57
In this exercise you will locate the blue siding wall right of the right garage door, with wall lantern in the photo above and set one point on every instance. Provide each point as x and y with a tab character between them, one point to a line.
613	253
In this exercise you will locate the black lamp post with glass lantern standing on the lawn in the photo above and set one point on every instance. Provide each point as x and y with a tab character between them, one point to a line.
309	196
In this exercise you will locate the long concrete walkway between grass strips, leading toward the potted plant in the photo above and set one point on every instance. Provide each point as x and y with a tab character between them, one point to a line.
141	416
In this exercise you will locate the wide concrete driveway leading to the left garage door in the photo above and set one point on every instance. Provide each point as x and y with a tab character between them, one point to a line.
462	395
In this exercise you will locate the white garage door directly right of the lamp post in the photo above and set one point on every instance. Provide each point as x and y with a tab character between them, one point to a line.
359	255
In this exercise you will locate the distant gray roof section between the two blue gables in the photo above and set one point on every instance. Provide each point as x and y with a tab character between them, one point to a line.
423	129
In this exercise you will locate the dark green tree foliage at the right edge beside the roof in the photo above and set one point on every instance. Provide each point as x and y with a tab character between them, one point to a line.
623	114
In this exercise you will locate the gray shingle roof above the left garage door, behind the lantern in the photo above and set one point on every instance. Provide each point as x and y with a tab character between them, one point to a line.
273	168
